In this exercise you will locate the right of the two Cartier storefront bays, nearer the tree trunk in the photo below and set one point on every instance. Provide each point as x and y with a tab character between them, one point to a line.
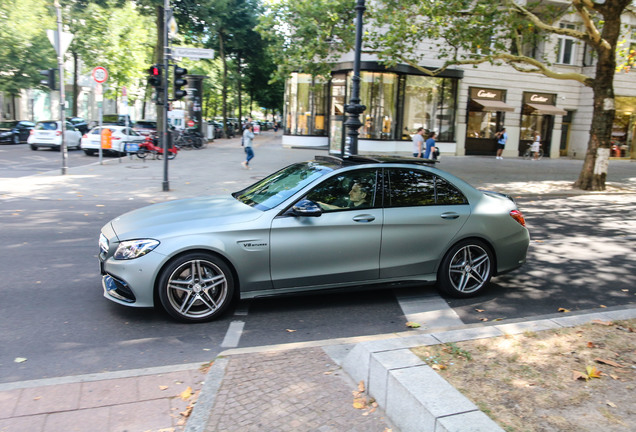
537	115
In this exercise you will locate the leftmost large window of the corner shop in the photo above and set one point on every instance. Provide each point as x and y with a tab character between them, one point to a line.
305	108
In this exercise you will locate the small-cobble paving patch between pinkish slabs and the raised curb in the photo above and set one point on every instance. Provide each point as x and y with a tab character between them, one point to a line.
290	391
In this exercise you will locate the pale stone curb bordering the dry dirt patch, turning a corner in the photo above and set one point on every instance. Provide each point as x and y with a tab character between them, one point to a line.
409	390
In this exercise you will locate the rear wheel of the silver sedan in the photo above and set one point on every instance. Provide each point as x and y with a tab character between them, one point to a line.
466	269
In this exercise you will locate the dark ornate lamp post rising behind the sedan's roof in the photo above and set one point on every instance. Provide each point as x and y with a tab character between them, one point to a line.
353	108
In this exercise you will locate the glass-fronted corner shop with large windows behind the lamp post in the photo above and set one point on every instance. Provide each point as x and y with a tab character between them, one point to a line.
398	101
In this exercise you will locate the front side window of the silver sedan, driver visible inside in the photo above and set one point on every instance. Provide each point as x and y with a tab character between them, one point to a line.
349	190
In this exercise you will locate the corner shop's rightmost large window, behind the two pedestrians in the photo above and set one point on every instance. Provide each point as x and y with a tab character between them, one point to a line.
430	103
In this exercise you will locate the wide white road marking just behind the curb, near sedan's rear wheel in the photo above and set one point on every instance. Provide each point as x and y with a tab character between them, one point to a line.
427	309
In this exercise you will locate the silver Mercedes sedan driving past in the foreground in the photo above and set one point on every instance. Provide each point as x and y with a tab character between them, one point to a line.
327	223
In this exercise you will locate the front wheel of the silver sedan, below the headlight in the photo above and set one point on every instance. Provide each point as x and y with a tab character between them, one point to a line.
196	287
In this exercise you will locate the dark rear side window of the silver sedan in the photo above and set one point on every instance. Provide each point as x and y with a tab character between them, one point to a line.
409	188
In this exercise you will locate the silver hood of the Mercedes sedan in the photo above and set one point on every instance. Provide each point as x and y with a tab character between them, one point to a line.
182	216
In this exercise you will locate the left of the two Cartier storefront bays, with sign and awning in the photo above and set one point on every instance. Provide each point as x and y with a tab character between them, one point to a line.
486	110
